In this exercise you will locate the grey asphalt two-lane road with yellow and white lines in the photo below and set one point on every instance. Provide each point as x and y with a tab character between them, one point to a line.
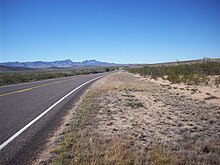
30	112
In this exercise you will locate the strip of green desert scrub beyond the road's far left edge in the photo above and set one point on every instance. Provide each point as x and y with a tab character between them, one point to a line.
7	78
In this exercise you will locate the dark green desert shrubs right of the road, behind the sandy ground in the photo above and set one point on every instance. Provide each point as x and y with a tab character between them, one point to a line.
192	74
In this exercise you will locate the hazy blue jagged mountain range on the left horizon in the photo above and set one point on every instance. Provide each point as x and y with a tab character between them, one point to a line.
61	63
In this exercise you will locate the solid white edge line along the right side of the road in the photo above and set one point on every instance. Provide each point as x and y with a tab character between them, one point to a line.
42	114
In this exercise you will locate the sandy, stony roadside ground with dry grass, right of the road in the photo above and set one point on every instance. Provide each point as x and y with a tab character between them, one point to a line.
171	125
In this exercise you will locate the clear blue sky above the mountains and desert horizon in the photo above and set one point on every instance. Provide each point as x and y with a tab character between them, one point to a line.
121	31
